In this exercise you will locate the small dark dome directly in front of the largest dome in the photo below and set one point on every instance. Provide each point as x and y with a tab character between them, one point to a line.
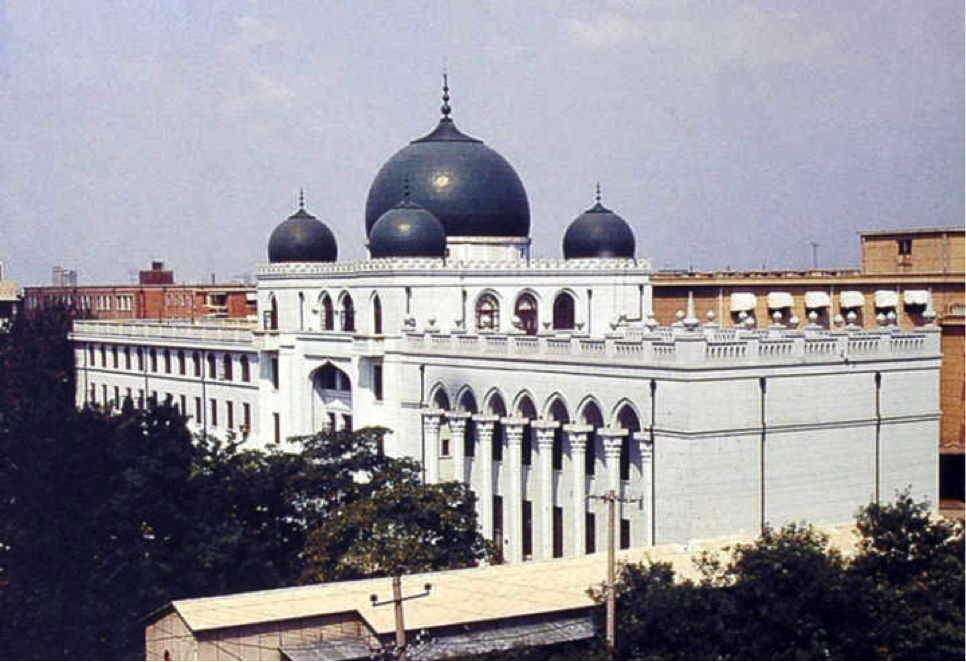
407	230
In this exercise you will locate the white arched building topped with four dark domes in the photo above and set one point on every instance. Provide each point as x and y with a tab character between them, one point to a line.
539	381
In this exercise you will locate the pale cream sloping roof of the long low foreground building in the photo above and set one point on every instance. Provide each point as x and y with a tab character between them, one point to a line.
471	595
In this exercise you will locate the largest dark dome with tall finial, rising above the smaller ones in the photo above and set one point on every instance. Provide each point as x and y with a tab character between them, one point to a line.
470	188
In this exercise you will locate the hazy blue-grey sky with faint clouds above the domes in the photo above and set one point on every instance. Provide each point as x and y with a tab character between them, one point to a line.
728	134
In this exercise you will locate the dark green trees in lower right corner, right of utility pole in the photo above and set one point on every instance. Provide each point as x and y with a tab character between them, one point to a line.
789	595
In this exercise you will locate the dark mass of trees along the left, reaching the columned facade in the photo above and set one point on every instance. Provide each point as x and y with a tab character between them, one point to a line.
105	517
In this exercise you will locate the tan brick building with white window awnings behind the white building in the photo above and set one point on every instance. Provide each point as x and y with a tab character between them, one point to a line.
901	270
